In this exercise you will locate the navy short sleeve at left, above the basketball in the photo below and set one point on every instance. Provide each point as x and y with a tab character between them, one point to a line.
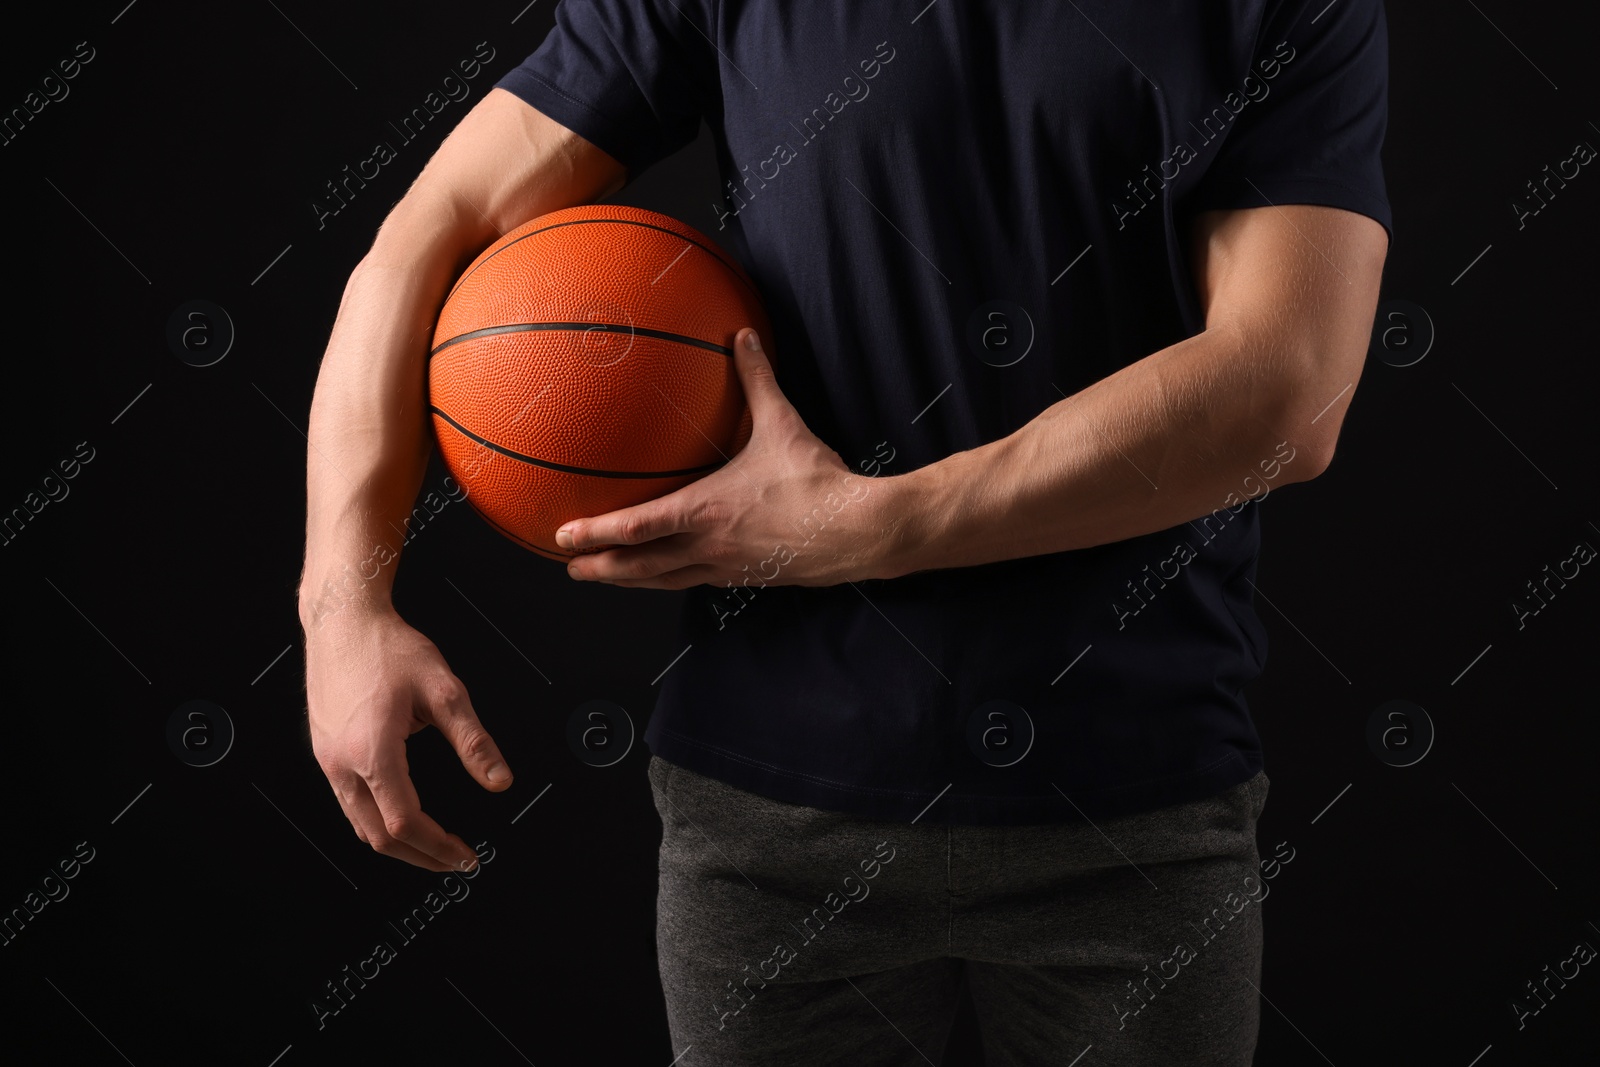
628	76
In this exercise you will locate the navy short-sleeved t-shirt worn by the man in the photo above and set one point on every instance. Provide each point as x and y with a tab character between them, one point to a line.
956	218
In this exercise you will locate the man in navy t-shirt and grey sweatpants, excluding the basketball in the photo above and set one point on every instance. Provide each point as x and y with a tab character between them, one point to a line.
1057	295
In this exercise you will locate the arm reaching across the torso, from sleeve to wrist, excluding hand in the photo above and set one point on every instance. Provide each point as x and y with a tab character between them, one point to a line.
1289	297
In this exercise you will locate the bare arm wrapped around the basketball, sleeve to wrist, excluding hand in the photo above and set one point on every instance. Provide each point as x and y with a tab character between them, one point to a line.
370	434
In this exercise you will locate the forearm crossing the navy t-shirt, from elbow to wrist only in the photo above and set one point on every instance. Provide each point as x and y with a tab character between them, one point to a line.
1199	426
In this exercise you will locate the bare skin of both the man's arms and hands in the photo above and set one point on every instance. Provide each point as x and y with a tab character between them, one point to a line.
1289	295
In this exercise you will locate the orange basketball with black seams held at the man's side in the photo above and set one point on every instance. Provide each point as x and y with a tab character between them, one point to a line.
585	364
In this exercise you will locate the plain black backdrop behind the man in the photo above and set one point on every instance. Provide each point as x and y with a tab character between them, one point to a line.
220	900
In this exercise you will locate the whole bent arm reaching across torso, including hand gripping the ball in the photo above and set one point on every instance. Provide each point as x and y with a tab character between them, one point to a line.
1289	298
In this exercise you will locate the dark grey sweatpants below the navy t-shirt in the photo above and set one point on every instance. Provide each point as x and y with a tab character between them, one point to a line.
791	935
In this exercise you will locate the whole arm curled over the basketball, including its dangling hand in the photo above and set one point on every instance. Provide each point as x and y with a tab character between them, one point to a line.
370	679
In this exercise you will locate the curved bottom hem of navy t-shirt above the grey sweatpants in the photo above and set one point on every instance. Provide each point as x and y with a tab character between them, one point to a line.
951	809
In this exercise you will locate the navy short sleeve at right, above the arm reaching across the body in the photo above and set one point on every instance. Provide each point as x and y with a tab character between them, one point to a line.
1316	108
